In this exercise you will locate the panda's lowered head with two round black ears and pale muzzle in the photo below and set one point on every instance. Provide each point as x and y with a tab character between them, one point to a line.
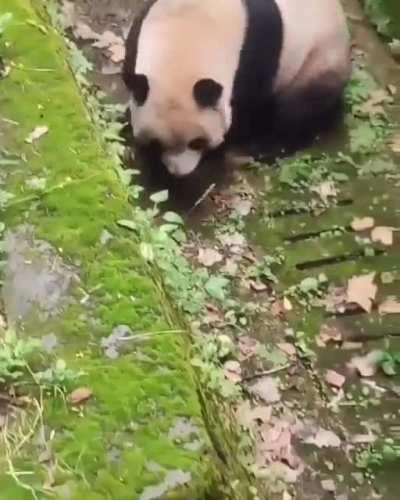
182	124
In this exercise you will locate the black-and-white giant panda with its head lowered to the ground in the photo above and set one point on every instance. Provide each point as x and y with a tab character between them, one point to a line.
208	73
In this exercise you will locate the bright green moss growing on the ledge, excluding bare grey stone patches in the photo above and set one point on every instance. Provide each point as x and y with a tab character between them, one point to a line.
138	397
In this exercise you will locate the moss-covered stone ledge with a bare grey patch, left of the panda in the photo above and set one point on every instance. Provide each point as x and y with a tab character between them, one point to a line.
72	273
